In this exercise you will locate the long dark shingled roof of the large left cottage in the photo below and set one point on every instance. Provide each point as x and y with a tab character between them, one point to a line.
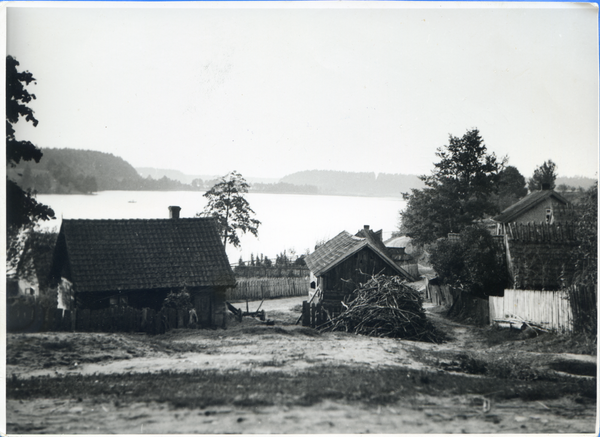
103	255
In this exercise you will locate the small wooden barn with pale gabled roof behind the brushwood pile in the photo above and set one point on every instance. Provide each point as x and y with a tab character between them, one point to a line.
342	263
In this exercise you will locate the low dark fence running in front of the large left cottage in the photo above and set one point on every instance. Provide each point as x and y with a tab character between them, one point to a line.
115	319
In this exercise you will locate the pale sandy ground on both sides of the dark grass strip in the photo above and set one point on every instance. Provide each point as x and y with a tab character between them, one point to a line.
282	348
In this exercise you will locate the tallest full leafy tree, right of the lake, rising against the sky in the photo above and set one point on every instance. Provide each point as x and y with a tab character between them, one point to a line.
457	193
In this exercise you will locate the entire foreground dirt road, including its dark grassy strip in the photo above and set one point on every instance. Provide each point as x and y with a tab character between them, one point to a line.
253	378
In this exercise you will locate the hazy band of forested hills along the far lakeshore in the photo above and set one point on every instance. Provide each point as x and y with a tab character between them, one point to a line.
74	171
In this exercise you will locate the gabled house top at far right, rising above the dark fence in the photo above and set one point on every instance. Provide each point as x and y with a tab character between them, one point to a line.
544	206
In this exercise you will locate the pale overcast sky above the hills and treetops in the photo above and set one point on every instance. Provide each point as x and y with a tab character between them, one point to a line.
268	91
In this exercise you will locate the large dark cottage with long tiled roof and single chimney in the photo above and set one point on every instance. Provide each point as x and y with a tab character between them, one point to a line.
138	262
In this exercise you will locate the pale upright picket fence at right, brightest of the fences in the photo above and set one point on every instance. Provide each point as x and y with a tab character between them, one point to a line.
549	309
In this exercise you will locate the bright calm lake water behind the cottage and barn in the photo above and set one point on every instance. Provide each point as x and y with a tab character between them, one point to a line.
291	222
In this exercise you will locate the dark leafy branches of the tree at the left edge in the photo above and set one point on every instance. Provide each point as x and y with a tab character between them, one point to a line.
21	207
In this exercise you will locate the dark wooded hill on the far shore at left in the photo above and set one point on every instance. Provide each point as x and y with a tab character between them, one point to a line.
70	171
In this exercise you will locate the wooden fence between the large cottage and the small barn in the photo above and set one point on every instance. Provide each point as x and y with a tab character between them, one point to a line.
267	288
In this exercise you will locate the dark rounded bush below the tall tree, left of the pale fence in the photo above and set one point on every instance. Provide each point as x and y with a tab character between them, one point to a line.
474	263
